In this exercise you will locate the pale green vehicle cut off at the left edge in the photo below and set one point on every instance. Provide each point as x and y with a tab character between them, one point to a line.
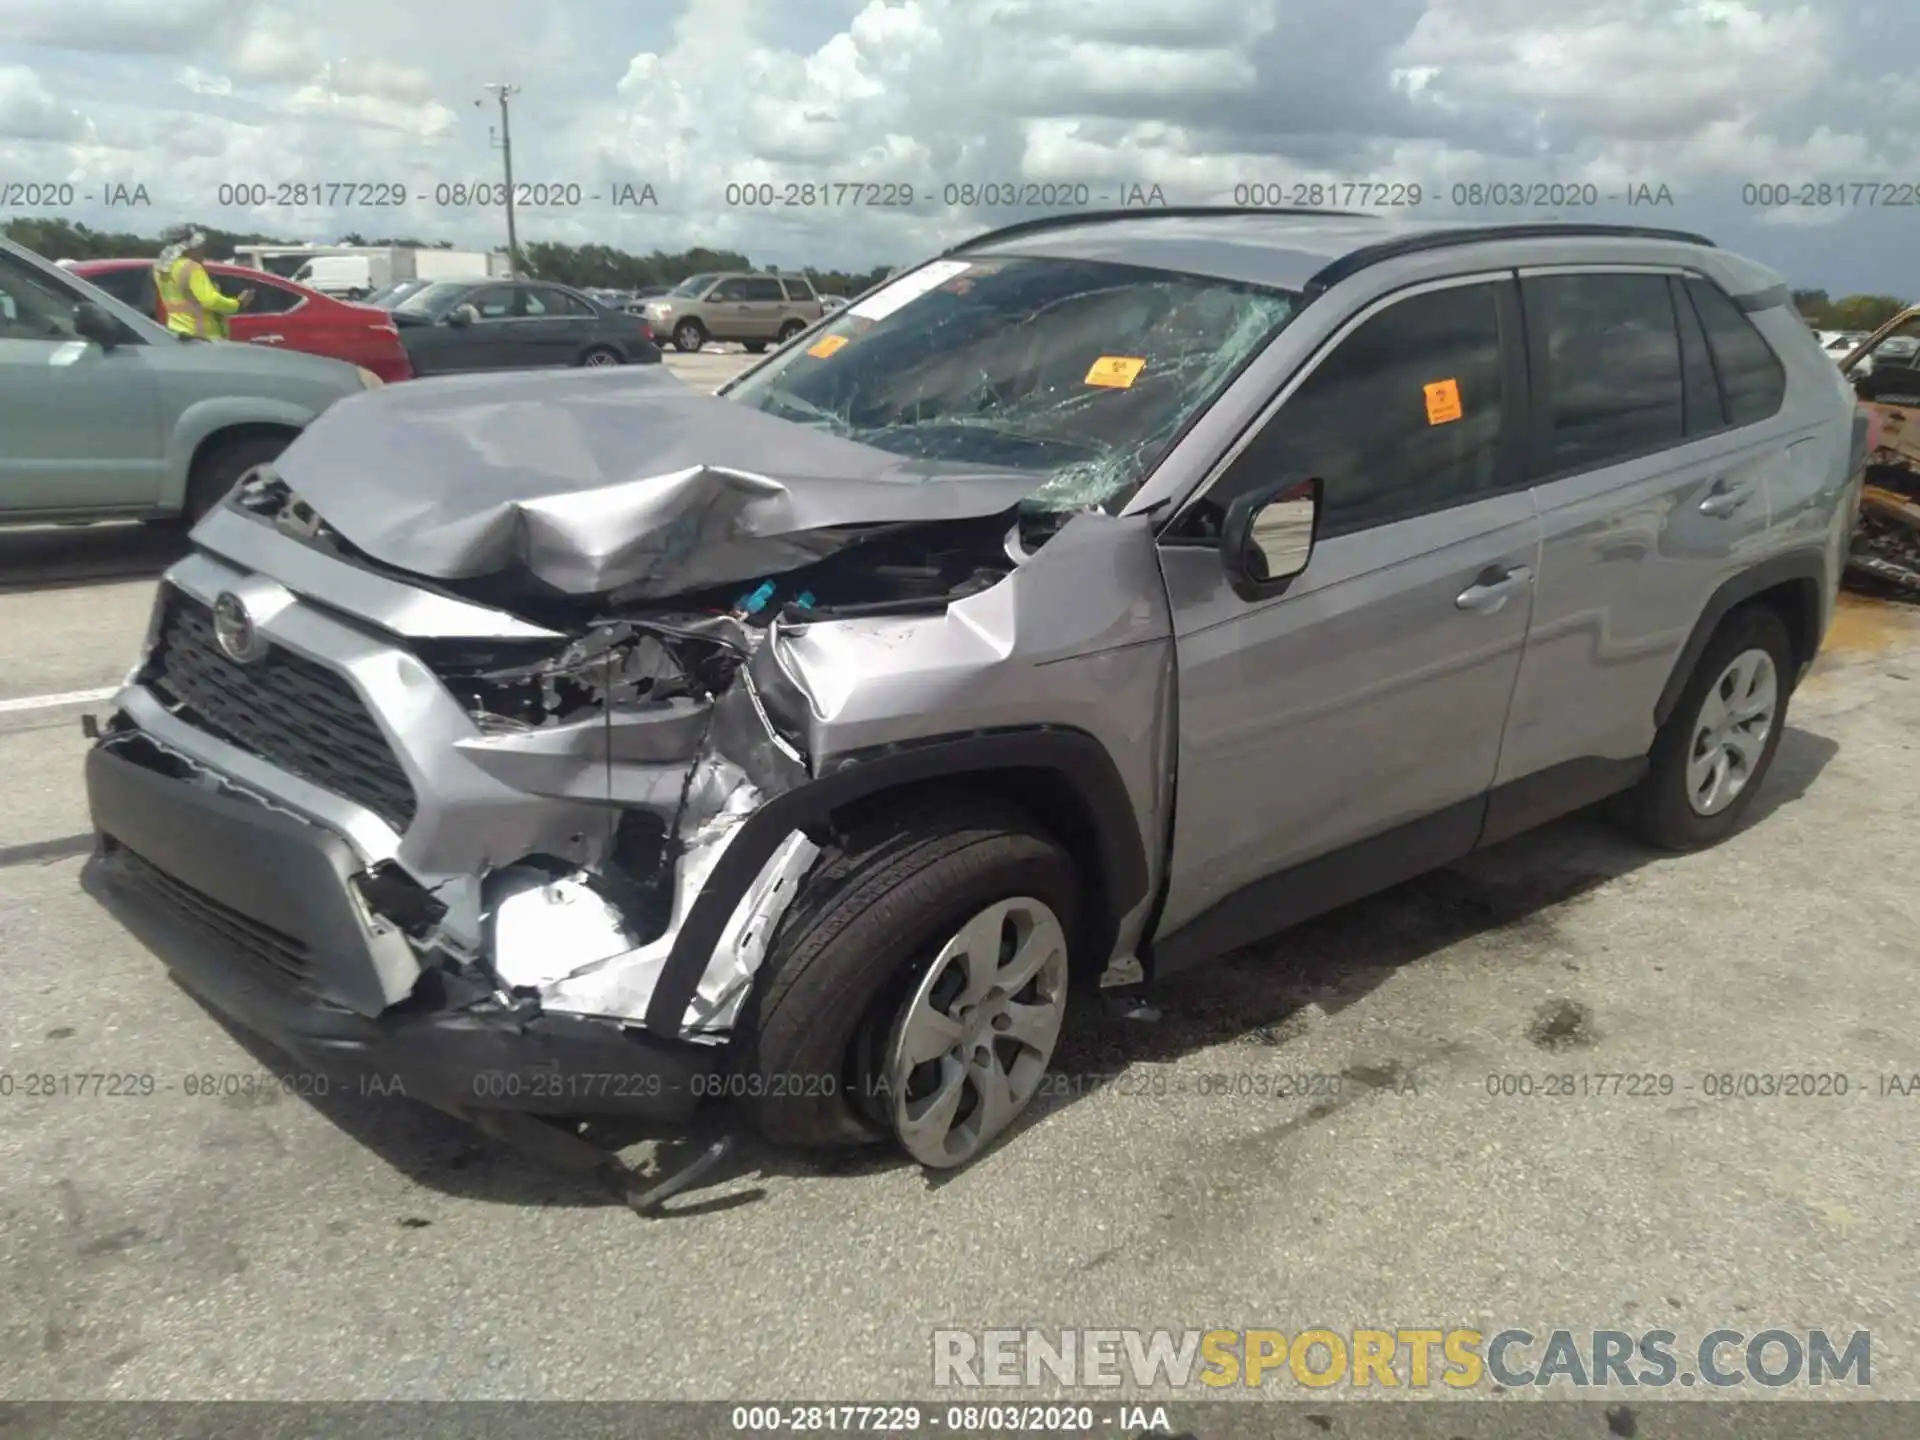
108	416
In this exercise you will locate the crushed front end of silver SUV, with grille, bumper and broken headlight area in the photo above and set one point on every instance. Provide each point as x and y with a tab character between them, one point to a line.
393	828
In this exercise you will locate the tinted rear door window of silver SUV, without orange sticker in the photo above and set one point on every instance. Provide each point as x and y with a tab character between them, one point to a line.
1614	370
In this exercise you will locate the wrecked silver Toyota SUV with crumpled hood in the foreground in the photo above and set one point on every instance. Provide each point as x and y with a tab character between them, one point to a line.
1097	598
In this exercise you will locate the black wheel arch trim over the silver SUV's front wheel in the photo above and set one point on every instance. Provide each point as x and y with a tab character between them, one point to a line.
1082	759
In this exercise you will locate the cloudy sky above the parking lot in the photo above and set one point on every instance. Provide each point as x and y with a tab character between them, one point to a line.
1193	97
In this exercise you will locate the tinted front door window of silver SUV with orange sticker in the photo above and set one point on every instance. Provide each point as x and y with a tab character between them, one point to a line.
1401	420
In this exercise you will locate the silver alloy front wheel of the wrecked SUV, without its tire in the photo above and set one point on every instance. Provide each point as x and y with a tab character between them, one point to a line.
974	1040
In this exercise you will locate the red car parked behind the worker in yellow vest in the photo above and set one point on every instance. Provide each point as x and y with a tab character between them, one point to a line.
283	314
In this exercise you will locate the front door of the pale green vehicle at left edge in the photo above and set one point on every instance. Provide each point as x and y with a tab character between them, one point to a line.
80	425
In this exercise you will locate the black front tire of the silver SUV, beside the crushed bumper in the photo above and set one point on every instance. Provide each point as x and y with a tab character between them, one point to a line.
861	948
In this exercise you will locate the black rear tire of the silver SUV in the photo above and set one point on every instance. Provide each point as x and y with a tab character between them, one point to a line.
1662	809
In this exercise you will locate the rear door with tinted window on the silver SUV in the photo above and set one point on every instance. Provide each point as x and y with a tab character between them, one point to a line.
1650	492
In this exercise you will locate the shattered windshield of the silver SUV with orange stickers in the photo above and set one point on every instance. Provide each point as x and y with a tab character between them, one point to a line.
1080	372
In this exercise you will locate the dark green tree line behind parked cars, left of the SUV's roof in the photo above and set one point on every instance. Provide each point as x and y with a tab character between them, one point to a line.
577	266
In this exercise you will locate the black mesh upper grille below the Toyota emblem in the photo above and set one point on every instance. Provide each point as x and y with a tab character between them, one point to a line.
281	708
